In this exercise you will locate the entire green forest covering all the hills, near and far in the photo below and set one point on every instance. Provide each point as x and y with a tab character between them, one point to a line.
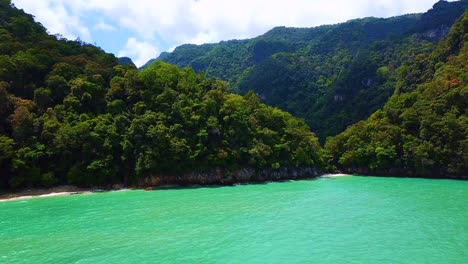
72	114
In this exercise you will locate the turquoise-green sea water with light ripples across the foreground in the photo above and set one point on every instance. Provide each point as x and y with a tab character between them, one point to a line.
342	220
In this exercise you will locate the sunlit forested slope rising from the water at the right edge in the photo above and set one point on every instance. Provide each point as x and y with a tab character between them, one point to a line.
423	129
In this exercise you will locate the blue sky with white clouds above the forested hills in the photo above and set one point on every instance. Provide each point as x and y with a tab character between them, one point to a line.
142	29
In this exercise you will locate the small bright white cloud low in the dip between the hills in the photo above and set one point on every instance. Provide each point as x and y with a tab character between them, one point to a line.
139	51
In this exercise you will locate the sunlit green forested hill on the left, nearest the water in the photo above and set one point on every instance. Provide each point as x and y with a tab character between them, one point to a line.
70	114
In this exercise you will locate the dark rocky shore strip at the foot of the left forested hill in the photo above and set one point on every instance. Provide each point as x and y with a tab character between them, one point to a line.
229	177
